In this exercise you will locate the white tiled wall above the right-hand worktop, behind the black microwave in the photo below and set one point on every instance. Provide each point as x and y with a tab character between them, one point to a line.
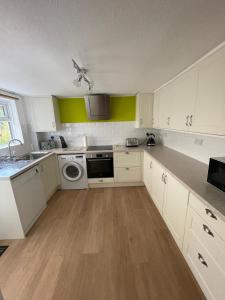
200	147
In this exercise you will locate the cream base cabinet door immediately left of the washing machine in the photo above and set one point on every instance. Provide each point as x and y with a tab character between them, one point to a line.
49	175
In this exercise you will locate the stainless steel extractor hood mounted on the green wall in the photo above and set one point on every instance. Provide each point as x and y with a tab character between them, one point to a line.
97	106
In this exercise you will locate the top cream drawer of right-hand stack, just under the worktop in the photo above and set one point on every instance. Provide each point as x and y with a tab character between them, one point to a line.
208	215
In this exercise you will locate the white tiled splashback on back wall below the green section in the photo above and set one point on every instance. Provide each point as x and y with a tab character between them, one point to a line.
99	133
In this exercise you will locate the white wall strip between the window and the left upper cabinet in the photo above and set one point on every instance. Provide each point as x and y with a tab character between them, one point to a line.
26	147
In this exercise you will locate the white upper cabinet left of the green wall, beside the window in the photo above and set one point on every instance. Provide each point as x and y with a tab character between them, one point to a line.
45	113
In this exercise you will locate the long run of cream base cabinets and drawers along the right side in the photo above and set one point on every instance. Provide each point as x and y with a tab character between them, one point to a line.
197	229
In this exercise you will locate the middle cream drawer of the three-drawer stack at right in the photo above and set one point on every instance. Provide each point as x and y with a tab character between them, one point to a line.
209	238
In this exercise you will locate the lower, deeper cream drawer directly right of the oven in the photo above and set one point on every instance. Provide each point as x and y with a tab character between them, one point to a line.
128	174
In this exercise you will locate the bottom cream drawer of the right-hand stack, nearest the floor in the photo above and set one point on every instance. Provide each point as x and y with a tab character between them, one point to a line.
208	273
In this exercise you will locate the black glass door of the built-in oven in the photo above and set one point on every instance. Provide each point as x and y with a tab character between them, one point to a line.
100	167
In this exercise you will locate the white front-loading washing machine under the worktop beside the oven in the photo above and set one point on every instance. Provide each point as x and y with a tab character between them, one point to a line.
73	171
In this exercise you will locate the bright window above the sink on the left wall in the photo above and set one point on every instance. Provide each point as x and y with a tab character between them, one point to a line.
9	122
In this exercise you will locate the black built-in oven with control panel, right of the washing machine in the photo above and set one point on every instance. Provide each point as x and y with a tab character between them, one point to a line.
100	165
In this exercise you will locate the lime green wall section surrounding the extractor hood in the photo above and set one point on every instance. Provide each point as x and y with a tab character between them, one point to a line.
72	110
